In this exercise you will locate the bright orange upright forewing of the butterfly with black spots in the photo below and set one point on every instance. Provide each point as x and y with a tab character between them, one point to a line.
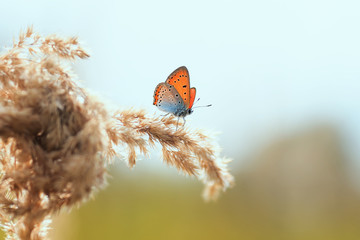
180	79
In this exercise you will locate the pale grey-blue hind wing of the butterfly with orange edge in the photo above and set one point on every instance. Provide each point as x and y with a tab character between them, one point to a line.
167	99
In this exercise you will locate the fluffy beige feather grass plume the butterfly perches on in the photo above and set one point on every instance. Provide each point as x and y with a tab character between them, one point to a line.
56	140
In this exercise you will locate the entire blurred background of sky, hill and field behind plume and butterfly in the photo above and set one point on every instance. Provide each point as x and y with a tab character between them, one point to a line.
283	78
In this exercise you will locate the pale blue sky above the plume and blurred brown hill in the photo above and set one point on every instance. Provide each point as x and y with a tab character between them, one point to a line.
268	67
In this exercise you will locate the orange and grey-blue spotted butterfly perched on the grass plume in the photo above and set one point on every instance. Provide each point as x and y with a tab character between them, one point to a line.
175	96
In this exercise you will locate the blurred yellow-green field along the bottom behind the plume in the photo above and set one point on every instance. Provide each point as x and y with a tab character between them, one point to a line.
150	207
